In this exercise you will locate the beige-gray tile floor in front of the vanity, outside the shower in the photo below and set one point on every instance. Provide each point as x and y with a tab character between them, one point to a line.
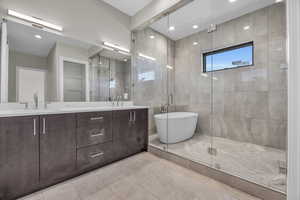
141	177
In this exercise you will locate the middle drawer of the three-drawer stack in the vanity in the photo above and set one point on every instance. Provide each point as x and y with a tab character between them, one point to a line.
93	135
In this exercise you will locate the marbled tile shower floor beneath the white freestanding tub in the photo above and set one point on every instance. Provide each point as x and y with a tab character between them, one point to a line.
252	162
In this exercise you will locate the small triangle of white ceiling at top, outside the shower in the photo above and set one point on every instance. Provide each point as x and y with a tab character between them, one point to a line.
129	7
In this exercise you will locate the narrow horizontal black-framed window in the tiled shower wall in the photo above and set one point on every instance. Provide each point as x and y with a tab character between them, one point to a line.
228	58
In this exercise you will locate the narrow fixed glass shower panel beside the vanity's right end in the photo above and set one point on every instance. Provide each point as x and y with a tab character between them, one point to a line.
150	82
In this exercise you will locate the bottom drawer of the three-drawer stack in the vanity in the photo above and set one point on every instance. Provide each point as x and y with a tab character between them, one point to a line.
93	156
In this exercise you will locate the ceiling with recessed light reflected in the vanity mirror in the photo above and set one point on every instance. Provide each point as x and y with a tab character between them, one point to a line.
21	38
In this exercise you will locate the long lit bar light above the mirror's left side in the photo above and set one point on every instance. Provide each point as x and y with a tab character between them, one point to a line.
34	20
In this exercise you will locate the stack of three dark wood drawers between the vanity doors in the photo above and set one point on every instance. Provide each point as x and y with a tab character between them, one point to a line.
94	139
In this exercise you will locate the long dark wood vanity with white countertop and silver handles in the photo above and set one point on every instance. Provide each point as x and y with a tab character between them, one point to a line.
42	148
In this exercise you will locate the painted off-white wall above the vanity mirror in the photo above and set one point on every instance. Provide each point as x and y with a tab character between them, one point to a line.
92	21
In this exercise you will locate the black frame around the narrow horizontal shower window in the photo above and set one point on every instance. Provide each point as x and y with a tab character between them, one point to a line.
247	44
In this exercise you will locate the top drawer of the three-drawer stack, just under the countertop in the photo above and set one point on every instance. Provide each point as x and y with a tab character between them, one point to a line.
94	119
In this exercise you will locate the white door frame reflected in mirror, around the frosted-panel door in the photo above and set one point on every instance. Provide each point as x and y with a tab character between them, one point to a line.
62	59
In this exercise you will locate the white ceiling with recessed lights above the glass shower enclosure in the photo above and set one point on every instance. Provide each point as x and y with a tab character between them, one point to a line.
203	13
